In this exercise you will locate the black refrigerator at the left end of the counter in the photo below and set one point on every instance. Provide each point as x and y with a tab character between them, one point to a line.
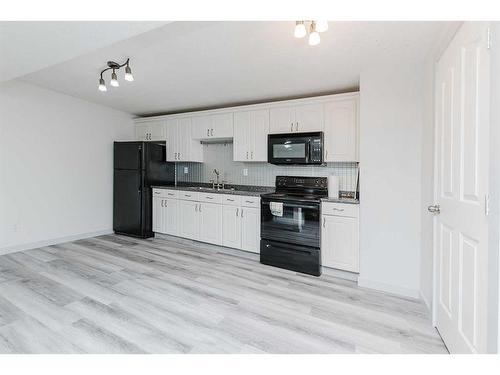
138	166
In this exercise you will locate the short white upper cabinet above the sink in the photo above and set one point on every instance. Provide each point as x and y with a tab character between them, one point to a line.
216	126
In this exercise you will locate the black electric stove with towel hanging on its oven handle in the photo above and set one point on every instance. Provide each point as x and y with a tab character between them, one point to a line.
290	224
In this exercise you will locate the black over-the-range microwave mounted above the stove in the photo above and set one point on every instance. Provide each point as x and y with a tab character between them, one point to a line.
295	148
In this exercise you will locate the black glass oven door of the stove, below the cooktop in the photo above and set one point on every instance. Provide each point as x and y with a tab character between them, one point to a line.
299	222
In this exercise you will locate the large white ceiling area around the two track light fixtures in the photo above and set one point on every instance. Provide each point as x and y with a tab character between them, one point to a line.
185	65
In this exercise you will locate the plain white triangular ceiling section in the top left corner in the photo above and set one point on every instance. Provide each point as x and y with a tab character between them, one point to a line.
26	47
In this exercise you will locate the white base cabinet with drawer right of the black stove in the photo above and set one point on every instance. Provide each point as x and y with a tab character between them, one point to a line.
340	236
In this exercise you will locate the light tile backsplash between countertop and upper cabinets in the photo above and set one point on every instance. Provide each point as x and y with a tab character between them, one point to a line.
220	157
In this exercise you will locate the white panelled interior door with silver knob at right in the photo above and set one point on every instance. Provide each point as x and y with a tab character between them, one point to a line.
461	183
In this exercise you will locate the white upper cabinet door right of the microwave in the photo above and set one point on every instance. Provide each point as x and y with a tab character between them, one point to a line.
341	130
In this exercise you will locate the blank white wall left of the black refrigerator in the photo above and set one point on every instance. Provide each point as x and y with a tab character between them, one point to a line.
55	166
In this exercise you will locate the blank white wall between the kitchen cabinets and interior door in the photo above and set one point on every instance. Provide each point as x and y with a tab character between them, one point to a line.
391	121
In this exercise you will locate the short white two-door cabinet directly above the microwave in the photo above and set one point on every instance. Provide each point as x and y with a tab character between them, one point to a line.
300	118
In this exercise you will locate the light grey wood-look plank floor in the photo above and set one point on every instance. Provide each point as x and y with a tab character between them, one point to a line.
114	294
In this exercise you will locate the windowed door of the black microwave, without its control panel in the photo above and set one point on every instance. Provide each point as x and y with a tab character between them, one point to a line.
288	149
